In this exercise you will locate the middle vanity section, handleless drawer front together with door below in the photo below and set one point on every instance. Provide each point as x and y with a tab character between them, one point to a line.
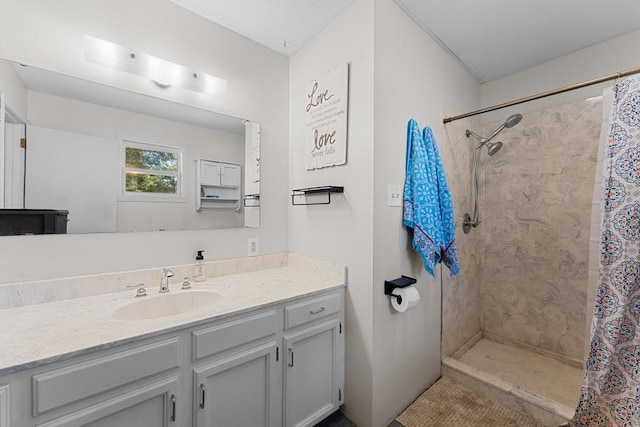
237	383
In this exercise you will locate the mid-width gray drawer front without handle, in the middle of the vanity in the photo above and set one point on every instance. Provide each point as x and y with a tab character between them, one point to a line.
225	336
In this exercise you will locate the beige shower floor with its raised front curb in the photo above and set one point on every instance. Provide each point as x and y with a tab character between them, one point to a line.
538	385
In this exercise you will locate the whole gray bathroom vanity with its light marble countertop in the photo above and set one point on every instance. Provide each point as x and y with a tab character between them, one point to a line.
258	348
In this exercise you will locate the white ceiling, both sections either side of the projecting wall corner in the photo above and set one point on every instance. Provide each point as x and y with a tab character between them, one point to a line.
492	38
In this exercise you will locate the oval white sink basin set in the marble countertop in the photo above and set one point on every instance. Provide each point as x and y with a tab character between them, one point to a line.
170	304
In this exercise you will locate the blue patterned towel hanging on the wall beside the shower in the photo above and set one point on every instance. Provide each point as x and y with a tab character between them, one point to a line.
428	208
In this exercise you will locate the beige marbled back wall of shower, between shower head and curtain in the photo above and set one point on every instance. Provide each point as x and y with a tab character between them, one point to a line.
536	213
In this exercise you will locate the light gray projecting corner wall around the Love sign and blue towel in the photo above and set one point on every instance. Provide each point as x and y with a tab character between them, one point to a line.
391	357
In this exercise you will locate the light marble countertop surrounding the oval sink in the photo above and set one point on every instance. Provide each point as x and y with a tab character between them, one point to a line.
42	333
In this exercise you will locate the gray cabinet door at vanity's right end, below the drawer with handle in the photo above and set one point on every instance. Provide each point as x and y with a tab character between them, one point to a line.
312	374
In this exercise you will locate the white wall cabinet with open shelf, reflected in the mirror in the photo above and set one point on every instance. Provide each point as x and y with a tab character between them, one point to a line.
218	185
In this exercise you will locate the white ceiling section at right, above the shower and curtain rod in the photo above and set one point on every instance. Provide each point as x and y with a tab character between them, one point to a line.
493	38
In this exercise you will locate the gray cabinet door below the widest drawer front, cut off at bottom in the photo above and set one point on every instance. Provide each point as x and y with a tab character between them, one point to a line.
153	405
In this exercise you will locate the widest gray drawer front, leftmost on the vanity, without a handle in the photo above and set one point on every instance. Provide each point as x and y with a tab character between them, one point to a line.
63	386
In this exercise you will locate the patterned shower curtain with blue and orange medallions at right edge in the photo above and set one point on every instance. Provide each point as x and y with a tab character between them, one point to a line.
610	393
